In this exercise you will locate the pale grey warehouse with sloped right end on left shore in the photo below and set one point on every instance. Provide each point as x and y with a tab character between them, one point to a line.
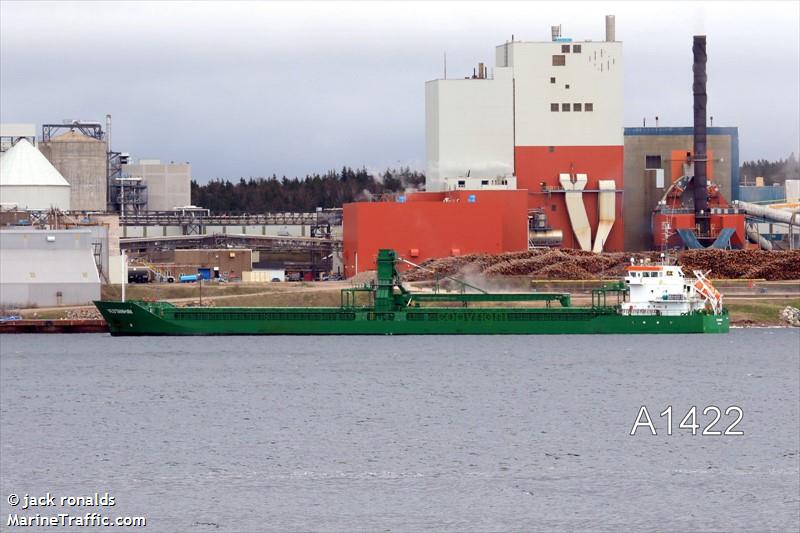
40	268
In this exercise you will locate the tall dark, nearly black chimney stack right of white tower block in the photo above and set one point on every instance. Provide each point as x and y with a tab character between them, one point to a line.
700	158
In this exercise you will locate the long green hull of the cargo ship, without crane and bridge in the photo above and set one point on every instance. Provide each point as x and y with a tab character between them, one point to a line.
154	318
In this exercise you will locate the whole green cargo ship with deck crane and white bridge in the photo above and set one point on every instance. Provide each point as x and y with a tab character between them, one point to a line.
386	307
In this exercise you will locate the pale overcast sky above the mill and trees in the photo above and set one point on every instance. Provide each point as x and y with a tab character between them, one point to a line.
251	89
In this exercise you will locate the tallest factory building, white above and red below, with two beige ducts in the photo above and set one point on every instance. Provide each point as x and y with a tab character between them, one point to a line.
548	113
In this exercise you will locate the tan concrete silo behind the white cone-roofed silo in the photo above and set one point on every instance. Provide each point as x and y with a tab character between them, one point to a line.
82	161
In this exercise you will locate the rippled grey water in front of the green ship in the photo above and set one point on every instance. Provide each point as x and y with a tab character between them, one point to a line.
406	433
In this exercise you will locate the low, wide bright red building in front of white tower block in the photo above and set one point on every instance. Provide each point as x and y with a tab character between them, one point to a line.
425	225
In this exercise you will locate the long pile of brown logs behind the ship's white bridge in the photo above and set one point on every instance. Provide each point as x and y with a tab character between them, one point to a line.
580	265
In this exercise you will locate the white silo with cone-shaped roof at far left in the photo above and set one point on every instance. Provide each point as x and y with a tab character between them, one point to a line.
29	181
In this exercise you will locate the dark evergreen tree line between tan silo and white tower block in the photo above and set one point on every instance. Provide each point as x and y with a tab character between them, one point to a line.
273	194
